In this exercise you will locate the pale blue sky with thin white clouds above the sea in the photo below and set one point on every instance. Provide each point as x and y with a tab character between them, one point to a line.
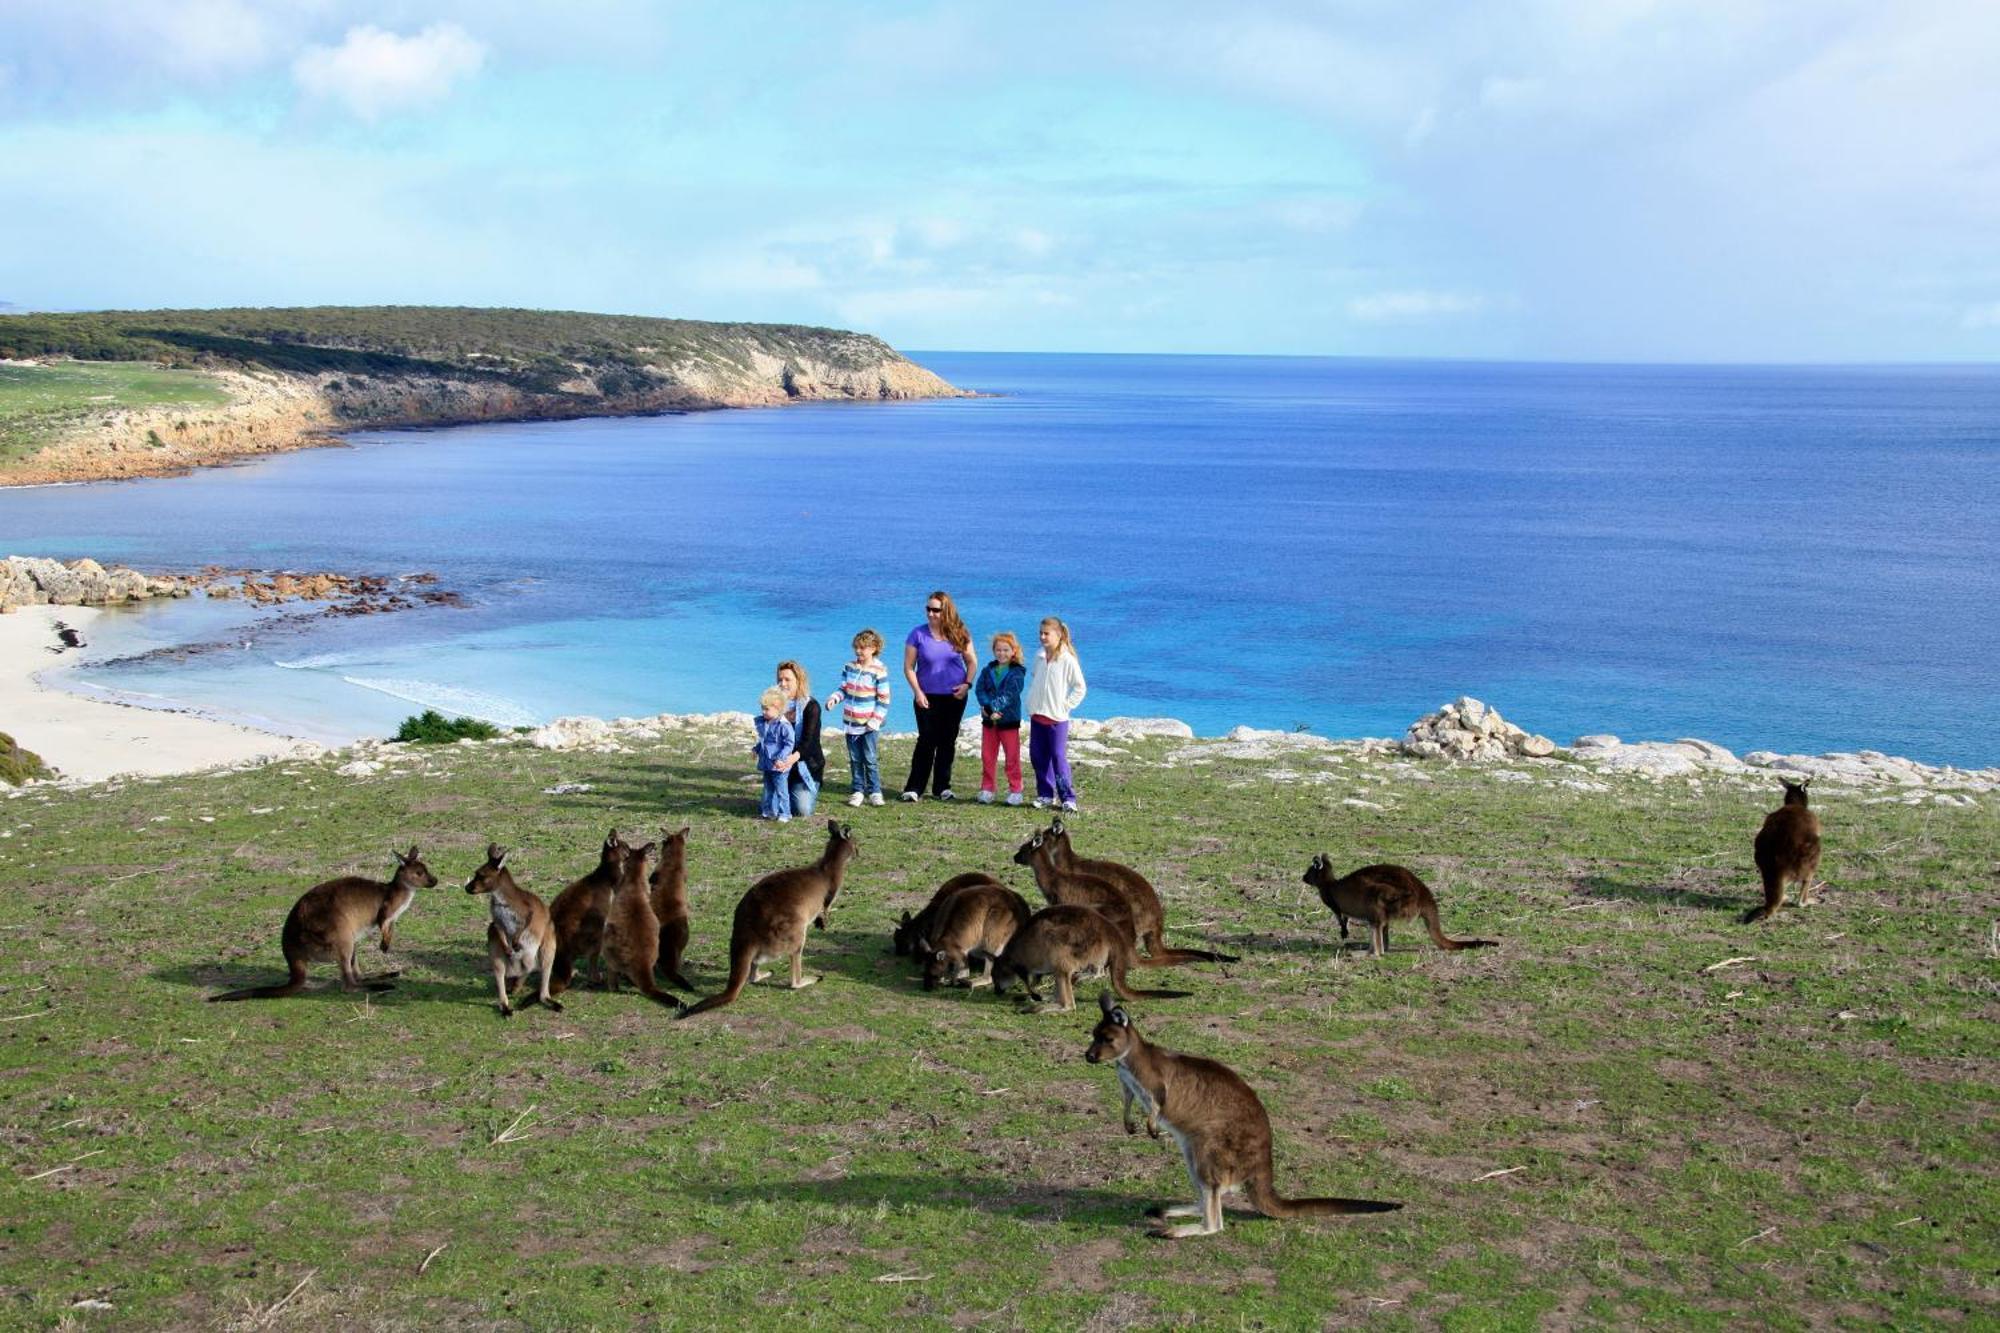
1541	179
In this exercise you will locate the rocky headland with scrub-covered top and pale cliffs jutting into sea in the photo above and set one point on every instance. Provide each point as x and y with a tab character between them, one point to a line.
301	377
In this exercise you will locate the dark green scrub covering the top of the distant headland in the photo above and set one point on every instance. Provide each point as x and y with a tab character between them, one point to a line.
535	351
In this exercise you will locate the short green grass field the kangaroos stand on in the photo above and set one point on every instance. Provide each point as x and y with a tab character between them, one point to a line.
1633	1112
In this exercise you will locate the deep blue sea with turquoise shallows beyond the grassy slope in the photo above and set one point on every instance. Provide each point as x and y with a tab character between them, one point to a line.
1793	559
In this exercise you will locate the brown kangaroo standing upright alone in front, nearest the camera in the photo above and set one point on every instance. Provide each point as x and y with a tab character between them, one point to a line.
1217	1122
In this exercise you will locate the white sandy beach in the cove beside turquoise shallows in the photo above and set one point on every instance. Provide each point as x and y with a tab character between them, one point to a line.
91	740
